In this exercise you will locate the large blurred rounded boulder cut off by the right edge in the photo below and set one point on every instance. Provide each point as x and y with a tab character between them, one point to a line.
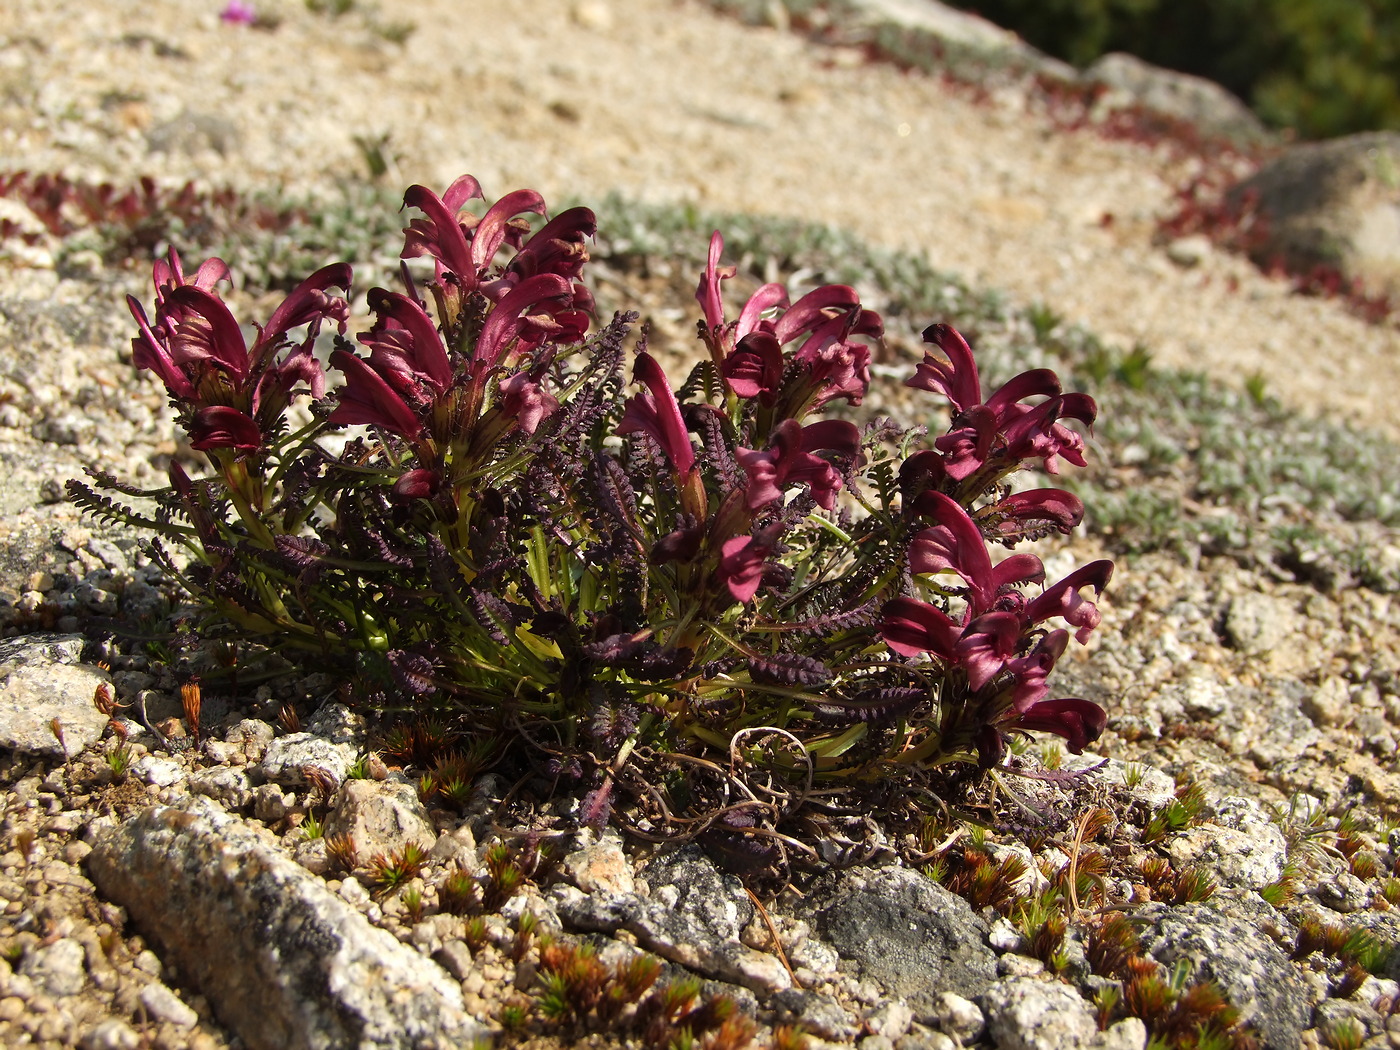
1333	204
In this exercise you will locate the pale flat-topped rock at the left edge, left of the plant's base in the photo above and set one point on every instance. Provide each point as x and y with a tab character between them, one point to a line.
41	682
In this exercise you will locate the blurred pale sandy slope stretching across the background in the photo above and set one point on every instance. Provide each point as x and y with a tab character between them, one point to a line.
667	101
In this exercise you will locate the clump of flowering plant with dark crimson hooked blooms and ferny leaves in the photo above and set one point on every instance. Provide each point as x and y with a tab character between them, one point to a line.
717	600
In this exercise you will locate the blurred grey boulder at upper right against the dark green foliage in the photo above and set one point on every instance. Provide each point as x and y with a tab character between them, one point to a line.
1193	100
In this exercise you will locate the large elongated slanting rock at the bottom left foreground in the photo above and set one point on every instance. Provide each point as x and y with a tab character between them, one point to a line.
296	965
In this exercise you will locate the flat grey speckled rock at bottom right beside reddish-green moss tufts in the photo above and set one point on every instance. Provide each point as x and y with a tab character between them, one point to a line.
1223	941
